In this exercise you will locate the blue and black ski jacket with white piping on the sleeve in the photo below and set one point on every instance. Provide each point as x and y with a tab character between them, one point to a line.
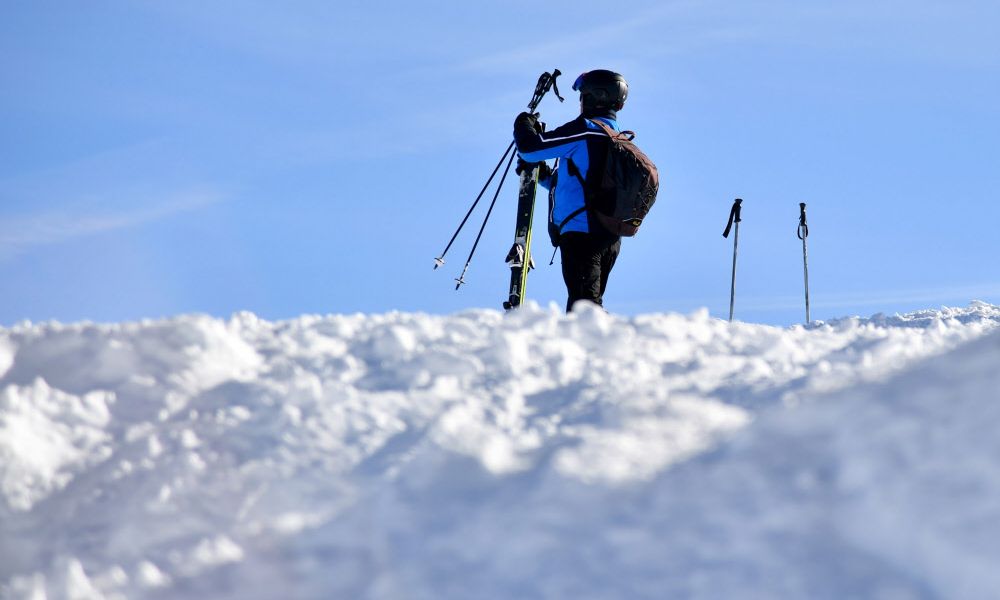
577	146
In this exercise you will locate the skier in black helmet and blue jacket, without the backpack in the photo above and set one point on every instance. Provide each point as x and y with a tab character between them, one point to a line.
588	250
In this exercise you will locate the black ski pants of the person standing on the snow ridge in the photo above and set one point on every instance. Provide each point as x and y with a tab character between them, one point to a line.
587	260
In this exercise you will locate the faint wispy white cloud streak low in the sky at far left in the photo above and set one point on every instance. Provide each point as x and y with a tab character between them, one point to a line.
20	234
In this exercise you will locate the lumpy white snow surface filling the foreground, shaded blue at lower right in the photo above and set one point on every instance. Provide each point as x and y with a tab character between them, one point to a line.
481	455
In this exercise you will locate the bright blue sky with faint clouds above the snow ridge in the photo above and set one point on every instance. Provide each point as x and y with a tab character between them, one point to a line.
159	158
